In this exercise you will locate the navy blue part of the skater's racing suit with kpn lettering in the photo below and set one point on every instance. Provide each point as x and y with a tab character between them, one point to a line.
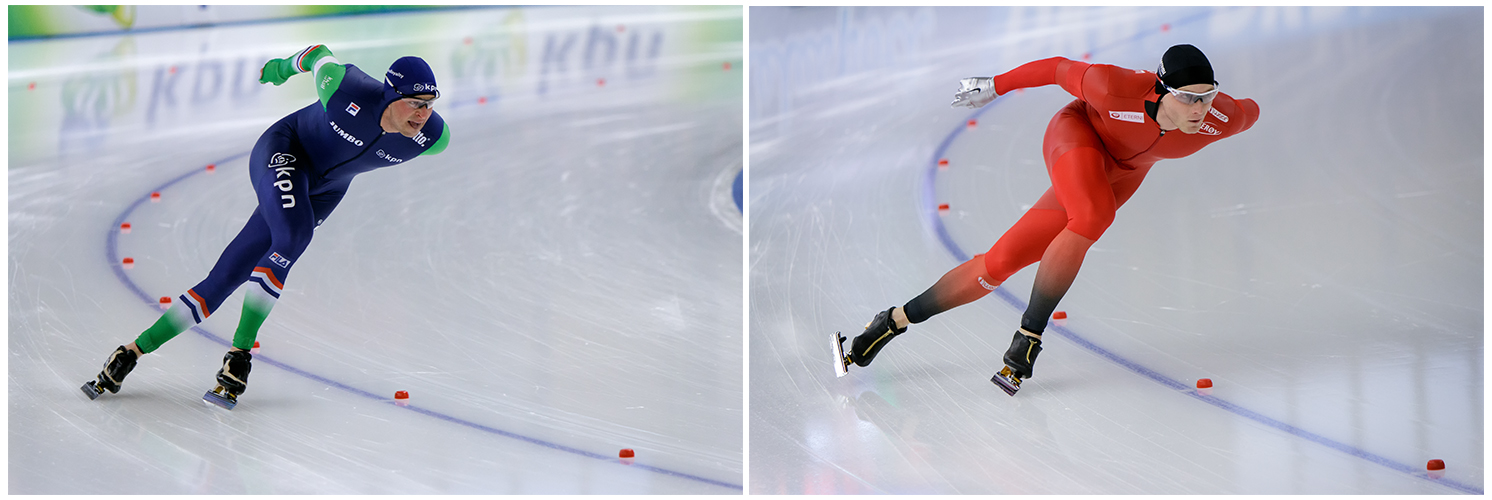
301	169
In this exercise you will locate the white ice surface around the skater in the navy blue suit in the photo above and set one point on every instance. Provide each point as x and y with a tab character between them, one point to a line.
557	286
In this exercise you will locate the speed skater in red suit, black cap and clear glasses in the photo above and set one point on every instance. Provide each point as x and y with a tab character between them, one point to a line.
1099	149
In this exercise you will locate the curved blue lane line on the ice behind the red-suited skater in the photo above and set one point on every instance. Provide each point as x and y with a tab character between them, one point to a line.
941	232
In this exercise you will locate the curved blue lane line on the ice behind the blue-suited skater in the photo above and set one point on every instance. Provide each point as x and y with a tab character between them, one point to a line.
119	271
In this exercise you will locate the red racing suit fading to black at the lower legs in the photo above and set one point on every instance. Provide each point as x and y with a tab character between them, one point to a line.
1097	151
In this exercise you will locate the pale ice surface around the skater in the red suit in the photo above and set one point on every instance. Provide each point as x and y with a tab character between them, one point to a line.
1324	268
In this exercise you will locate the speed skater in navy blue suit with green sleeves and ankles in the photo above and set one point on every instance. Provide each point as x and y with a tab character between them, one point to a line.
301	169
